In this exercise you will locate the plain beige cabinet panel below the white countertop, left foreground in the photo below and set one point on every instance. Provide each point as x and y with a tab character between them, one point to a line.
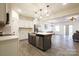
9	47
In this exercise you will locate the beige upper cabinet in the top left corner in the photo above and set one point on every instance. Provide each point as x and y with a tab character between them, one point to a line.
2	13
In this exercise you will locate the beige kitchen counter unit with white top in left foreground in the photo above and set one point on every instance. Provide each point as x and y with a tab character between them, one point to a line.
9	45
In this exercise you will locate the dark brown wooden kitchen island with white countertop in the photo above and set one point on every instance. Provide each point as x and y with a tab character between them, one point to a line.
40	40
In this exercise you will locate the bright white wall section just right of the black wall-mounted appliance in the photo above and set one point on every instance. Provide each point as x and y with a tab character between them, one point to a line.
14	22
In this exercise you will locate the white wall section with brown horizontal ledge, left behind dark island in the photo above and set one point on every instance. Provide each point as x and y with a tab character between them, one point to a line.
25	26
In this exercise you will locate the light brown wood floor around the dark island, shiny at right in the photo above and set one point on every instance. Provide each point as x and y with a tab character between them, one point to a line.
61	46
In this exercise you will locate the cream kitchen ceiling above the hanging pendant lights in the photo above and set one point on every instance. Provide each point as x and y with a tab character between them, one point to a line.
29	9
